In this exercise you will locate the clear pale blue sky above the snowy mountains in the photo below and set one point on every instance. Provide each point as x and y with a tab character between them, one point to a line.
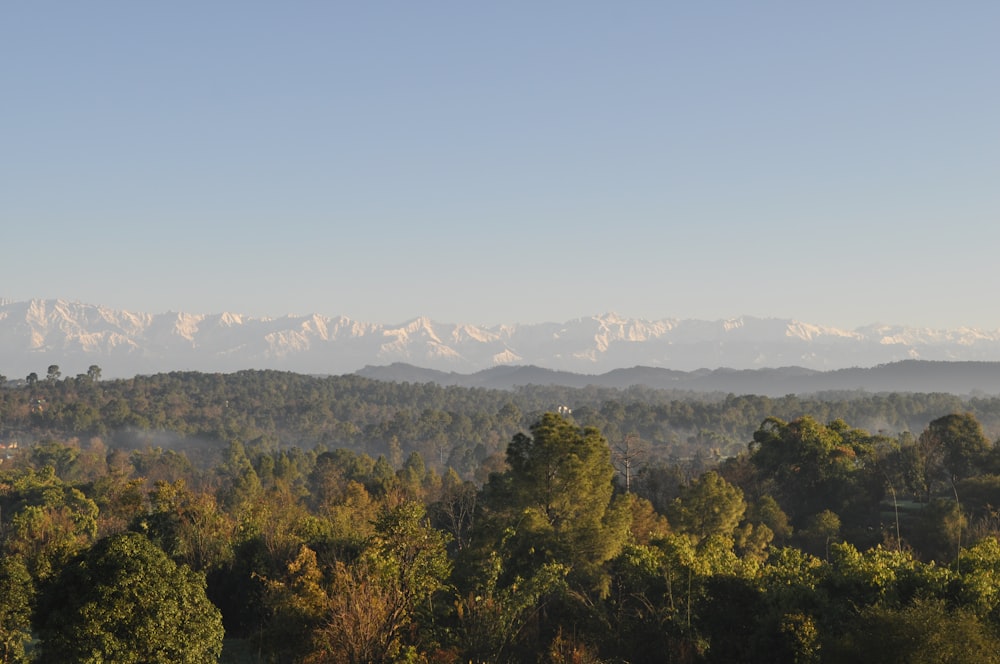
837	163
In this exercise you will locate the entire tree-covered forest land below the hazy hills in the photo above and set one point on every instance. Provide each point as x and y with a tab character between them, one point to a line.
343	519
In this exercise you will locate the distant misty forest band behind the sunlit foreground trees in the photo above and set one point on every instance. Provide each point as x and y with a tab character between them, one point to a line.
450	426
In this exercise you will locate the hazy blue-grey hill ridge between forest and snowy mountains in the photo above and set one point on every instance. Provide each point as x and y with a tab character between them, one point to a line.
961	378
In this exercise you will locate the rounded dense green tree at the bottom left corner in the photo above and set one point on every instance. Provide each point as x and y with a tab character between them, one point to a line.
125	601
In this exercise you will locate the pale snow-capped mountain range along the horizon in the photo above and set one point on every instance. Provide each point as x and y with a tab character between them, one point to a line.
35	334
